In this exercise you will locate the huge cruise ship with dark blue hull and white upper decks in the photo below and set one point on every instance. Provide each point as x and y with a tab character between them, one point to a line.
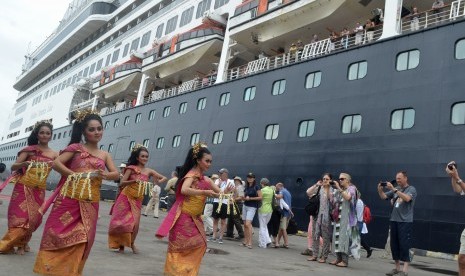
288	89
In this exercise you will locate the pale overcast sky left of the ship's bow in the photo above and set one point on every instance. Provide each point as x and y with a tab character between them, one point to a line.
24	25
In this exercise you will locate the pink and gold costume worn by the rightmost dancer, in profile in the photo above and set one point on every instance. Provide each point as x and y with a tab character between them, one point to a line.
187	240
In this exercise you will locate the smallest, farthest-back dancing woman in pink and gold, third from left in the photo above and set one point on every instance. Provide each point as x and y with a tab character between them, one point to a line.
125	219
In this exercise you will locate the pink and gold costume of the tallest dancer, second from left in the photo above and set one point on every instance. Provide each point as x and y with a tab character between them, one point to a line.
69	232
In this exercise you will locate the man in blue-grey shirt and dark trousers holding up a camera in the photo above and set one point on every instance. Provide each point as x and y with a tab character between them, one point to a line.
401	221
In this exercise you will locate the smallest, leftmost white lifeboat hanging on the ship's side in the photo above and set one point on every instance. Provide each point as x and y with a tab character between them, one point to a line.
120	81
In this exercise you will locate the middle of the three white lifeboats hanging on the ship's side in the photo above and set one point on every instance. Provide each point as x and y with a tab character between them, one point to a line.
184	56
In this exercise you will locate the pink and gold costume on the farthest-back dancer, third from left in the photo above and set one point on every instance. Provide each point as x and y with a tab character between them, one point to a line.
125	215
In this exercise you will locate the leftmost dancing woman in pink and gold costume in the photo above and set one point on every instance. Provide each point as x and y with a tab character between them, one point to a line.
32	168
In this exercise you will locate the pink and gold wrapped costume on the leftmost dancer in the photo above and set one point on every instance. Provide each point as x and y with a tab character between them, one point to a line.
28	195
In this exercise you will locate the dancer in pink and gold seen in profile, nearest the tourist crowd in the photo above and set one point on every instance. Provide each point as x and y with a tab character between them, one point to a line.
187	241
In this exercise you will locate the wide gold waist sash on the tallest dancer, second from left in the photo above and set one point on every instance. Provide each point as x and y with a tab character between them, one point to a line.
82	187
